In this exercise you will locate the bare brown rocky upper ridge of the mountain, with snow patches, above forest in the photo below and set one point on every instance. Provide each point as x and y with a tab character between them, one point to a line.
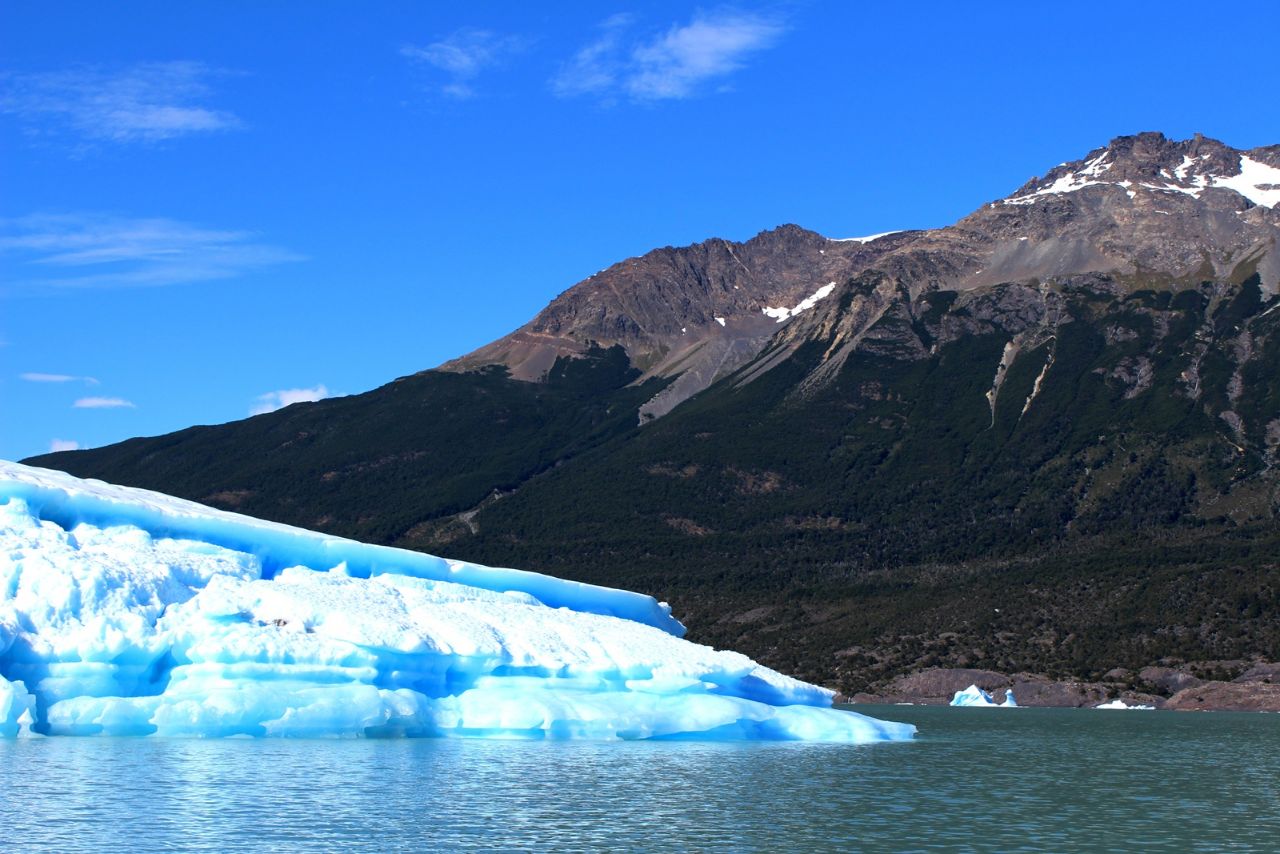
1146	209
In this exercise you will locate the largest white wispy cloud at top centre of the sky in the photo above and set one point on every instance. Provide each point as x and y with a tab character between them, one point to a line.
679	63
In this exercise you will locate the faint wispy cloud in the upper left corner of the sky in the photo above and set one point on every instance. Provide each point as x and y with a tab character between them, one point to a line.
144	103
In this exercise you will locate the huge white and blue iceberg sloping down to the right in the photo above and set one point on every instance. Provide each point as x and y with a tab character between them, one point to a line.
131	613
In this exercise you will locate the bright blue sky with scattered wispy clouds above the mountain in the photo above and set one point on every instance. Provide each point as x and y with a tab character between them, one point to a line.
212	209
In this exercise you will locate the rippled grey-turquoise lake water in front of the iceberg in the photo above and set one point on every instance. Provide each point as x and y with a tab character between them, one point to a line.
998	780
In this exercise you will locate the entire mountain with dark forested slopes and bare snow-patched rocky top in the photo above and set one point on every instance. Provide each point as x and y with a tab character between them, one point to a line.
1044	439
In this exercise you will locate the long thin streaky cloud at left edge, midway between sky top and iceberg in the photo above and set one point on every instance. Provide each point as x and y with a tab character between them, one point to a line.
108	252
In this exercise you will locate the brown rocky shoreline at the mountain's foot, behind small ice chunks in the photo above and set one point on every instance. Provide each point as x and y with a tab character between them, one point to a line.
1222	687
